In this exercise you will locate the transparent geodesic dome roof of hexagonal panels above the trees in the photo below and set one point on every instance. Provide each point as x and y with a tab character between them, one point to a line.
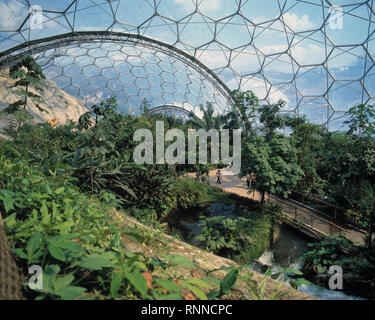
318	55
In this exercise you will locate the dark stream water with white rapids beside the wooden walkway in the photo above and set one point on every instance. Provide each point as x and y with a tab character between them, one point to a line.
286	251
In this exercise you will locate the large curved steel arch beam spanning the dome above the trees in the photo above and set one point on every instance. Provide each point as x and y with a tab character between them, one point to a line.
9	56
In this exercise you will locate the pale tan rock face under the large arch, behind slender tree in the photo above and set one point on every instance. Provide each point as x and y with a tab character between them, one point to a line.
60	106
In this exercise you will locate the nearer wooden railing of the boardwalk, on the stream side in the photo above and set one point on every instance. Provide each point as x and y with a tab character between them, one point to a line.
307	218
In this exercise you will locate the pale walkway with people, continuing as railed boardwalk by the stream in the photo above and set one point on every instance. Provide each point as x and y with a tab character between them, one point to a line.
298	215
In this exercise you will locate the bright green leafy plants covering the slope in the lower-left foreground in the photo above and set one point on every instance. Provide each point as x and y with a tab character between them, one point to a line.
77	242
